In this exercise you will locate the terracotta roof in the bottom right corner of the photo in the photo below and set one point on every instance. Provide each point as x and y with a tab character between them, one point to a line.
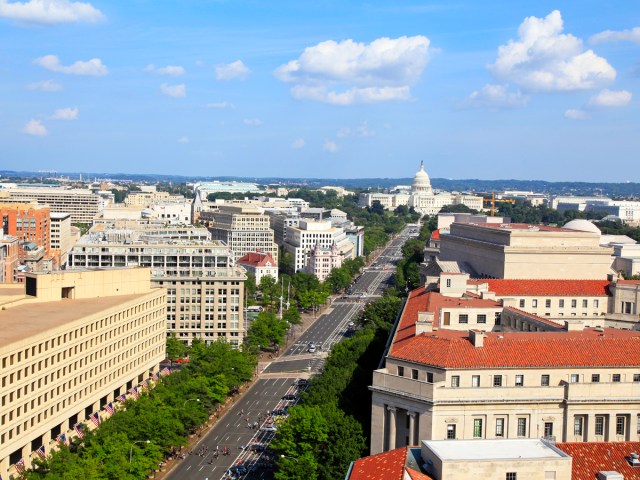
589	458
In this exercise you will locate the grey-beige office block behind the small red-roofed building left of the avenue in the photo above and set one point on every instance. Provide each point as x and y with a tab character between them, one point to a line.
243	228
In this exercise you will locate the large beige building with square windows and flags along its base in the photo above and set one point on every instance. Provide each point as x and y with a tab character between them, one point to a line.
70	343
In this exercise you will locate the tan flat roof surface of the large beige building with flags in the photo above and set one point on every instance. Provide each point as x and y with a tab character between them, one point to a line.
23	321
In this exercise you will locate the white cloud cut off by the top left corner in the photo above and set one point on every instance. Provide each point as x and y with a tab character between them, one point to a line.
50	12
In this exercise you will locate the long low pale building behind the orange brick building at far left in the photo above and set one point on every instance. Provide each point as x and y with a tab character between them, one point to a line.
83	205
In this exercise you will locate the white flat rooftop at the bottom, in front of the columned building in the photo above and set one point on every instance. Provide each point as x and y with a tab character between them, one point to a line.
514	449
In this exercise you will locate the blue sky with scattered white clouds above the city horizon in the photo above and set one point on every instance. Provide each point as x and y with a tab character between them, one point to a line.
333	89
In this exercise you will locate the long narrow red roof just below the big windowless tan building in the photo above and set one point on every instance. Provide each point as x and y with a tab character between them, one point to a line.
548	288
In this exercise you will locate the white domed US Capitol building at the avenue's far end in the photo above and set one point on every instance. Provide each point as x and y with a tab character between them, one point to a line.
421	197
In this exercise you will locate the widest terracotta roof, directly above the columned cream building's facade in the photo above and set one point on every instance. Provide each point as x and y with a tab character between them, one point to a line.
586	348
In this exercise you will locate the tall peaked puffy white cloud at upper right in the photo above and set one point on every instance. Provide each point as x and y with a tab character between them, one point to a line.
543	59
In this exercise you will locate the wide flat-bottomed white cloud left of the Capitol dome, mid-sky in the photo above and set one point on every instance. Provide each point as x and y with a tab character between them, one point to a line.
348	72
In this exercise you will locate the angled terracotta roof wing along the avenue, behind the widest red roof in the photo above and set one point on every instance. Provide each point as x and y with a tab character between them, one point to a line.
421	301
